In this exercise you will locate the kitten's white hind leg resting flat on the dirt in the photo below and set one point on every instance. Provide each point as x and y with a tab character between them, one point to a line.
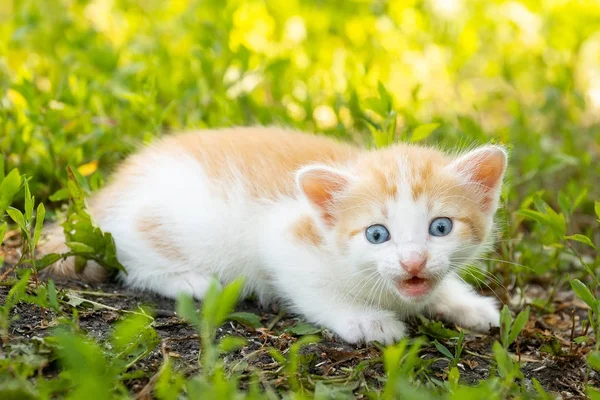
194	284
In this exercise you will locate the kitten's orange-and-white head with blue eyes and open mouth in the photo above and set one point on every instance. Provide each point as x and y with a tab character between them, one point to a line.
406	215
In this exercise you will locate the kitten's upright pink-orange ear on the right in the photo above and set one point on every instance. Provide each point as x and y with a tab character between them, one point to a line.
484	169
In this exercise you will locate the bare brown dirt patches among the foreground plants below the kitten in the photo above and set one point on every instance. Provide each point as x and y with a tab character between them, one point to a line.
562	373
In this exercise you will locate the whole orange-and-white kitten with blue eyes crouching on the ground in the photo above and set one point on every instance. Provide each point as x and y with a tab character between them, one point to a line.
353	240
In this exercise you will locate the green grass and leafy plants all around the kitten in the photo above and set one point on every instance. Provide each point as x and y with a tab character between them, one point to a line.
83	83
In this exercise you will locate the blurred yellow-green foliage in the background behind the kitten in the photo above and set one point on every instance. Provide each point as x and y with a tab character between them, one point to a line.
85	82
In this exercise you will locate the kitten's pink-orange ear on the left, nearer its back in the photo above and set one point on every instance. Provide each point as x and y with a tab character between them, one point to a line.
320	185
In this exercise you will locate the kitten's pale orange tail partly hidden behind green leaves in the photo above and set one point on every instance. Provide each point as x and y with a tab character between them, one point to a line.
53	241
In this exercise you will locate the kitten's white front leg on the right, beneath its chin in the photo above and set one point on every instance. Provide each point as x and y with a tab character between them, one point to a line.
457	302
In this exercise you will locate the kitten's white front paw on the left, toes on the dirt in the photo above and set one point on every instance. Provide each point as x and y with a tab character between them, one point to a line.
371	326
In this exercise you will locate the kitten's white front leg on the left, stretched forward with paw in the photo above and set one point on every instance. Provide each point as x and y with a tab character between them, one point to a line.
353	323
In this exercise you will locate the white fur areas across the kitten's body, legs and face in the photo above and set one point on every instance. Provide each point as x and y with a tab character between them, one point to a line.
348	290
